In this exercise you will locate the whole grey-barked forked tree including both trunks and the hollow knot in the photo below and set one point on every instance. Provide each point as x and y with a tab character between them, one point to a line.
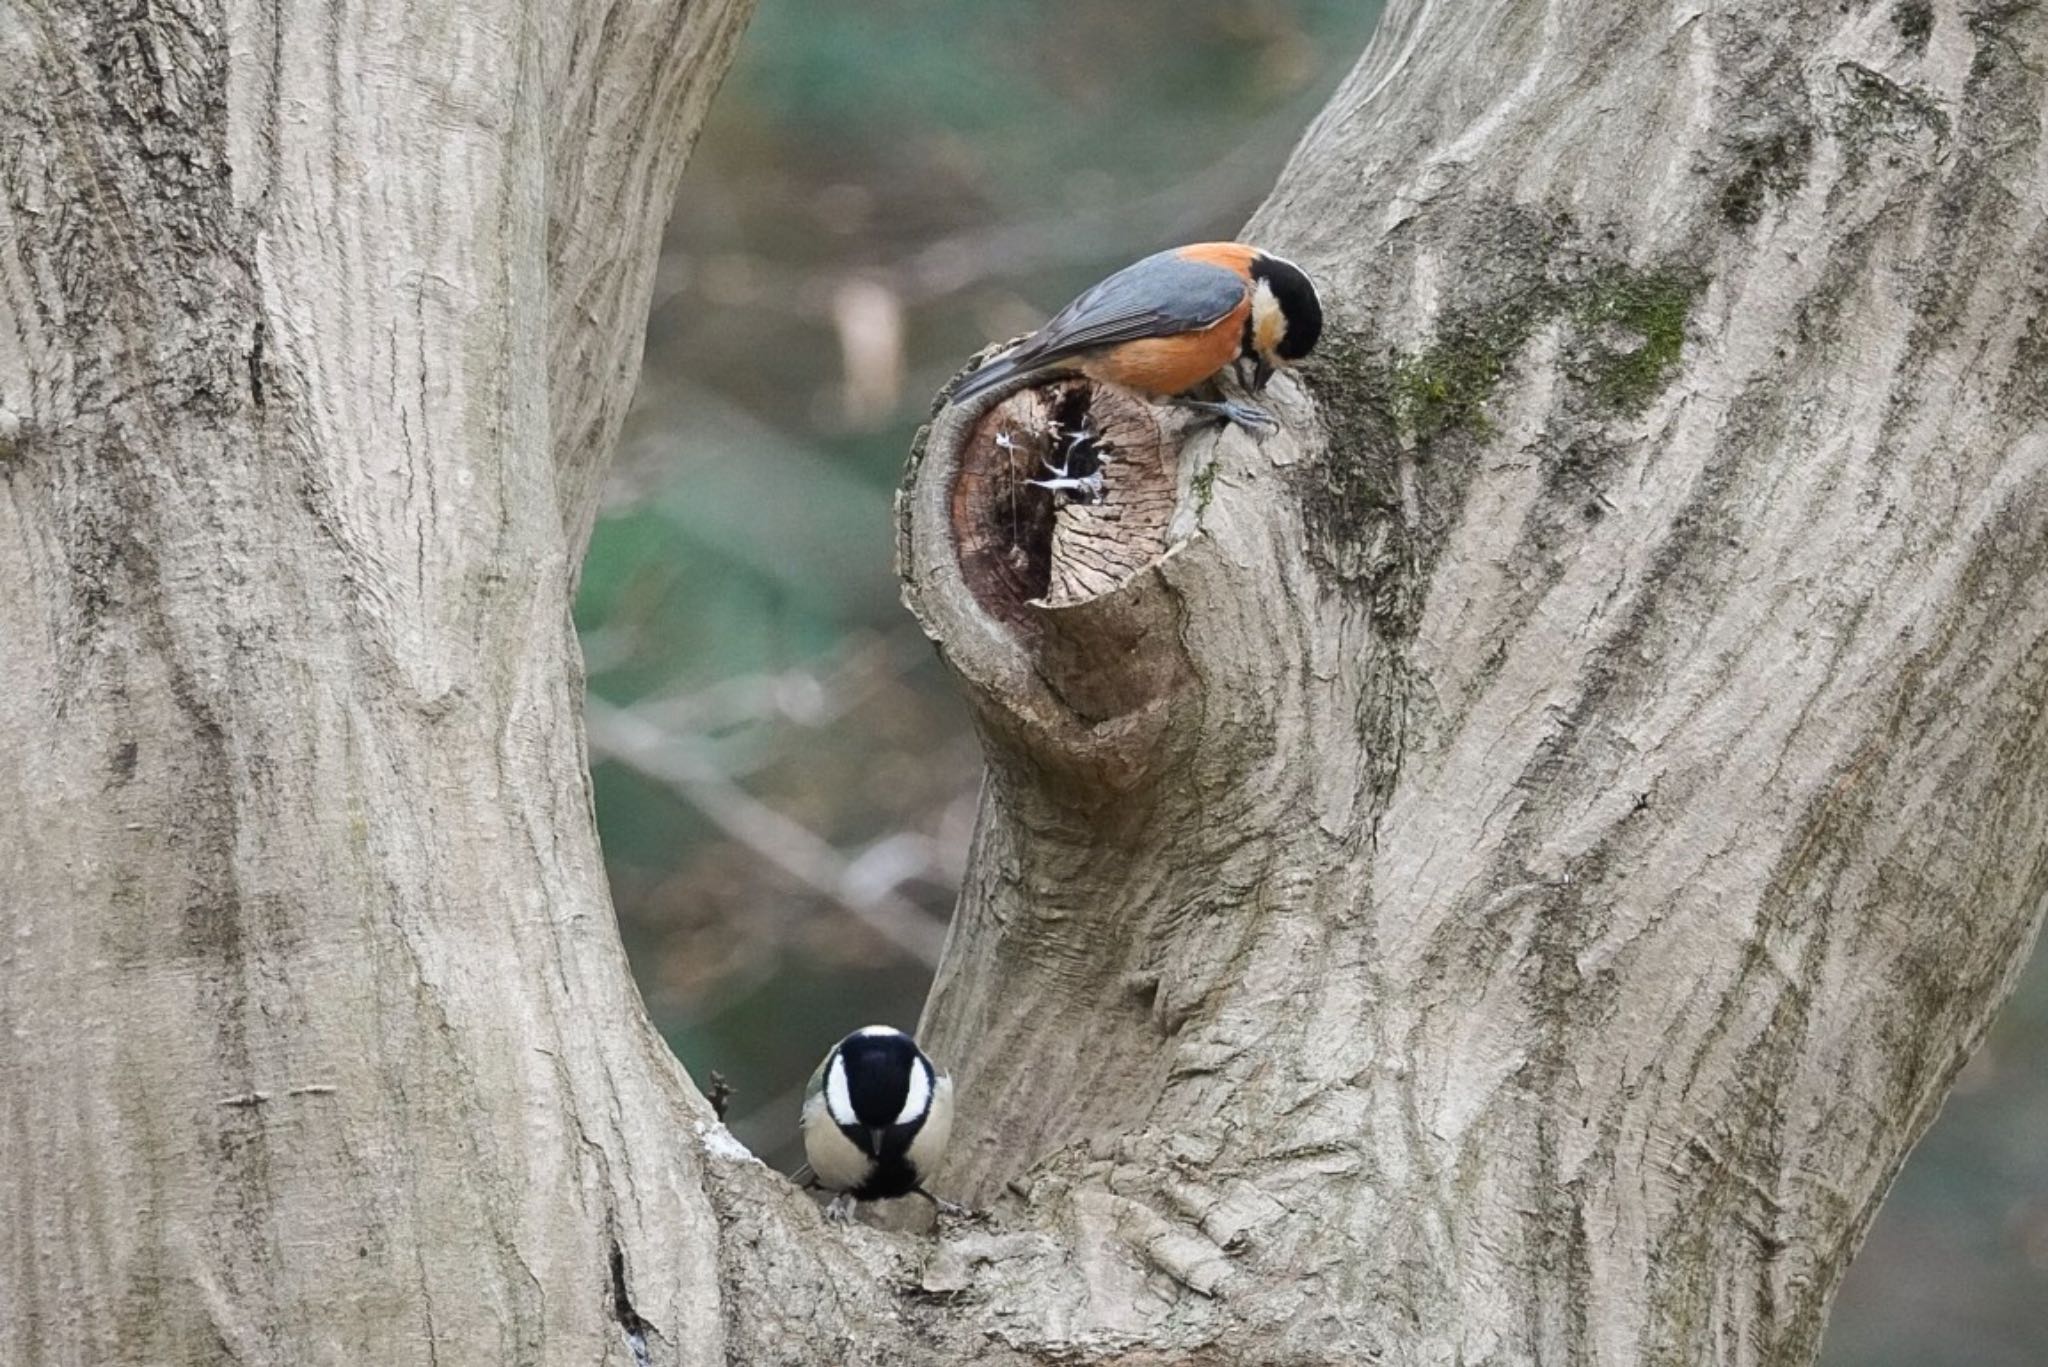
1500	872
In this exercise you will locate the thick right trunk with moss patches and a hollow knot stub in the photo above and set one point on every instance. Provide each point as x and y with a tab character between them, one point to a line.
1512	882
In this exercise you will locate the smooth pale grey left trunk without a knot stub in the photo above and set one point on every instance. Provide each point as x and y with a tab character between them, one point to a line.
316	331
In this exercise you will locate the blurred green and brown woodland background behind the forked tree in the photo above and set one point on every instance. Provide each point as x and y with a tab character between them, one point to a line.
785	780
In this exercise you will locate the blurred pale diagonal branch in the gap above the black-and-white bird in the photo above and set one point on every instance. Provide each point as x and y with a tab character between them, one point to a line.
794	850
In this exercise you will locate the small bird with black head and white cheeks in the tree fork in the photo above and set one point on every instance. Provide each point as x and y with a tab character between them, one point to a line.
876	1120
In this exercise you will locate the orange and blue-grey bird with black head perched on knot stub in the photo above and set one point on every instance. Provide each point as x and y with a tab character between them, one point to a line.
1170	325
